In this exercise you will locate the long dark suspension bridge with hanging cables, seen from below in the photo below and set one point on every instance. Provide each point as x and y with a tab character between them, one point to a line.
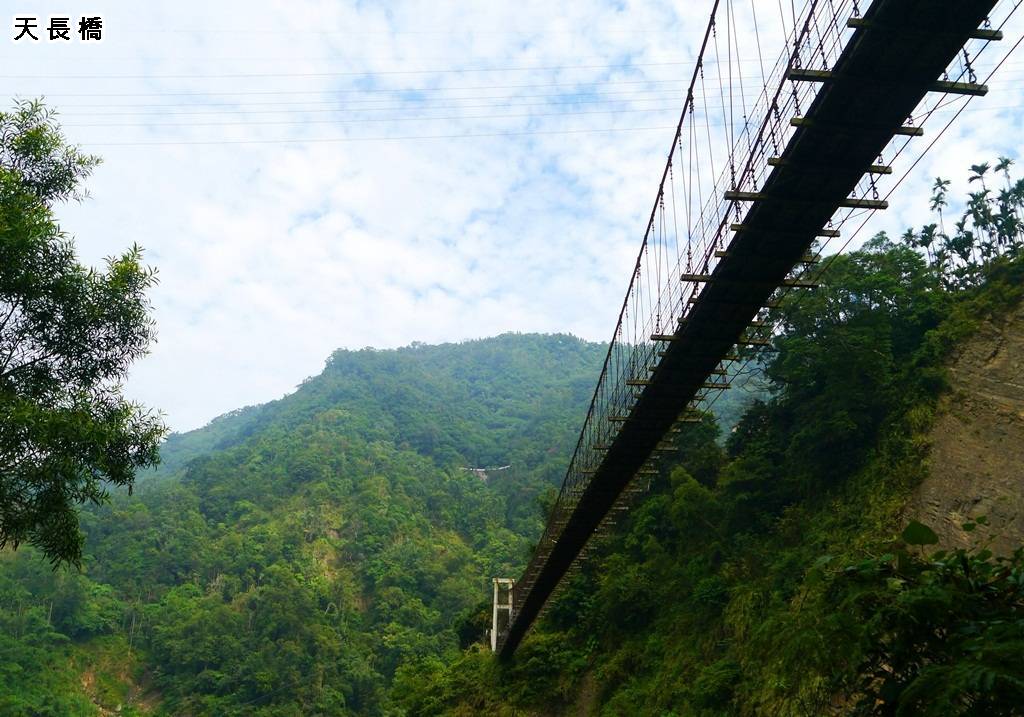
774	154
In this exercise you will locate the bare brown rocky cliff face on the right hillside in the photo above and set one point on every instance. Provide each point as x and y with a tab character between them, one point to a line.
977	458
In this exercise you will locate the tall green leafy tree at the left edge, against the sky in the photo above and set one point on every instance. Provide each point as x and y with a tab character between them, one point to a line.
68	336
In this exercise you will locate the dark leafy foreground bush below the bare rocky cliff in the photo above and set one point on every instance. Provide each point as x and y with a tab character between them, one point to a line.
941	635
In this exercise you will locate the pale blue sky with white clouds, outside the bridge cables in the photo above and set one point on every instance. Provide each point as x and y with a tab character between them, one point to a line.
313	176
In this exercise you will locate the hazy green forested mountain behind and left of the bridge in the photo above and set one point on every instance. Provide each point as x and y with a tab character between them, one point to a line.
290	557
